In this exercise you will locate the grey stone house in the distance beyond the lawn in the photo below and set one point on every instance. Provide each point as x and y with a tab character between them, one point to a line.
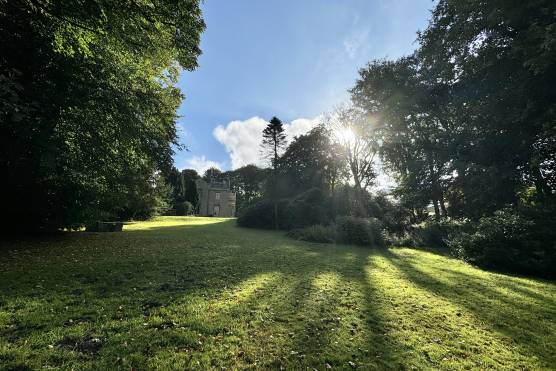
216	198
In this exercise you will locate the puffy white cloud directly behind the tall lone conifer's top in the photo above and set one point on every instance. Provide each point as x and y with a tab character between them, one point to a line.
242	139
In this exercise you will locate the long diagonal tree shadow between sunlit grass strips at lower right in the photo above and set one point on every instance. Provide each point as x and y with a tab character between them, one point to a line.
500	312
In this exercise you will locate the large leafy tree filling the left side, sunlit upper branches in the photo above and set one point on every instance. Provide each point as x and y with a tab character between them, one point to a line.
88	104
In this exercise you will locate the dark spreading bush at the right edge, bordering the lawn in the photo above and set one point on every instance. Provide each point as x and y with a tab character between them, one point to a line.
519	241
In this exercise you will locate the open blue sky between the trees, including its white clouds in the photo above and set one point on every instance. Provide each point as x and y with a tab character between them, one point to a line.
291	59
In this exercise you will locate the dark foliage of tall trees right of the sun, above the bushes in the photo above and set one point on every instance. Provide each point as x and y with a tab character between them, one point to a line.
467	122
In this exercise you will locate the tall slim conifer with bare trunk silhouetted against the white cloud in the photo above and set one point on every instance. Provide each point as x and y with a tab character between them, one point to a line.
274	139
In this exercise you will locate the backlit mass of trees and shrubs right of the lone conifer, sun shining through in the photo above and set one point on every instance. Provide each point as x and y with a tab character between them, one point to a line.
466	126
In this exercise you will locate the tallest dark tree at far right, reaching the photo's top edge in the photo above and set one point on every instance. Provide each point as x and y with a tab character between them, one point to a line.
499	61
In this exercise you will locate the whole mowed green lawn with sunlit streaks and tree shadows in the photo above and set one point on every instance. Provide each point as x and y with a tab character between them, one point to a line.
199	293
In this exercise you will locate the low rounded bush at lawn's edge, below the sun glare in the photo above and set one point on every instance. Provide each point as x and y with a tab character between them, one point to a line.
359	231
